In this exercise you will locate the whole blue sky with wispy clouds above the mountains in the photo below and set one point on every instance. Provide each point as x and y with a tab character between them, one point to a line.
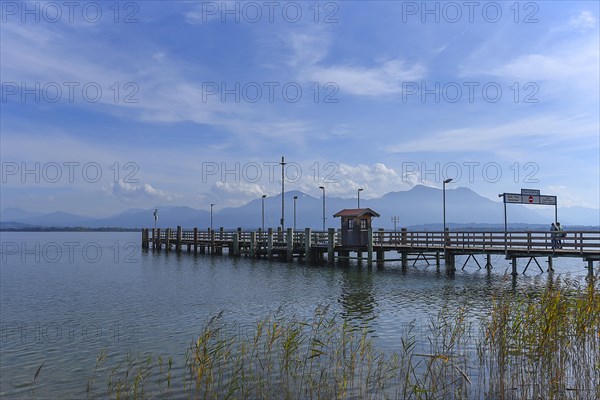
105	108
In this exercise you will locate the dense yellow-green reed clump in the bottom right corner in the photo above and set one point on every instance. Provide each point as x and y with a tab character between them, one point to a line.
546	346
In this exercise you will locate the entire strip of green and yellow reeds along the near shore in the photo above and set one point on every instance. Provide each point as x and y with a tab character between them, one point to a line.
544	345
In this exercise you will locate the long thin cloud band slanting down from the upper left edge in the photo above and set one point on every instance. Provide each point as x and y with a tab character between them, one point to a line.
167	89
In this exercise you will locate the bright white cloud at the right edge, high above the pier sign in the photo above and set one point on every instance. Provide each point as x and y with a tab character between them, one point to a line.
564	65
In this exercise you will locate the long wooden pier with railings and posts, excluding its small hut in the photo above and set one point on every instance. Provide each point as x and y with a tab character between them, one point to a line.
317	246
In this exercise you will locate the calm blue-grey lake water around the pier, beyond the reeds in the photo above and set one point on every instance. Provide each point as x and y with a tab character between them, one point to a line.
65	297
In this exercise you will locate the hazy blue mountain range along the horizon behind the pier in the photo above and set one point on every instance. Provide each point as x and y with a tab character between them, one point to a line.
420	206
